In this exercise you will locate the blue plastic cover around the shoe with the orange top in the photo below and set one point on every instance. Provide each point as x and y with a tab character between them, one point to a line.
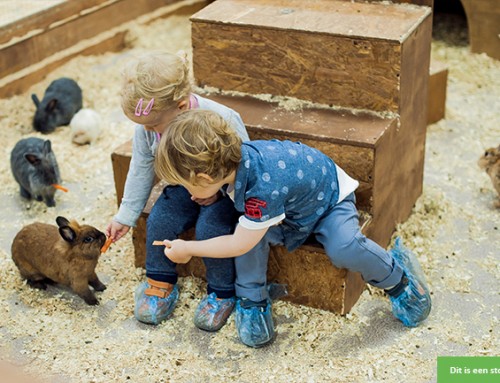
152	309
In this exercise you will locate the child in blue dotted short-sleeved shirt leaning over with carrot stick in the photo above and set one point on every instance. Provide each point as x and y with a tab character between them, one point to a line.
286	192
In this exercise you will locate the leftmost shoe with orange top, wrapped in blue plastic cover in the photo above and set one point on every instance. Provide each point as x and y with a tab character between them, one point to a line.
155	301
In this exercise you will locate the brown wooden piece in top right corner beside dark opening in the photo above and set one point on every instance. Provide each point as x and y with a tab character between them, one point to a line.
483	18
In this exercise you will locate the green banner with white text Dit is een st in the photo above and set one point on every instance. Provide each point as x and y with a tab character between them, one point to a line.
468	369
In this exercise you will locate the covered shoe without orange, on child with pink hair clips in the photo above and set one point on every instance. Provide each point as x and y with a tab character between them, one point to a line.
212	312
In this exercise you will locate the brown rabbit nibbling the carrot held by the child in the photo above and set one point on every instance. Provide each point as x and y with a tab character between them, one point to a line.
67	255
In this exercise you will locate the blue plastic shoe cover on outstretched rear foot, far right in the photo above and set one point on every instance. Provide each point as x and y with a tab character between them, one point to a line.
413	304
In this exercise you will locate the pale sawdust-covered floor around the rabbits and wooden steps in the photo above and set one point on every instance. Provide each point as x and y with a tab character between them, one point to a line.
454	230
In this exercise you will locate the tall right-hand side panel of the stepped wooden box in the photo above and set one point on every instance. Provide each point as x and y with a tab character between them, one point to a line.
399	179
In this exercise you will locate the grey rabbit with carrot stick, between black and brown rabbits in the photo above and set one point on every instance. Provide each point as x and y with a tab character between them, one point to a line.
35	169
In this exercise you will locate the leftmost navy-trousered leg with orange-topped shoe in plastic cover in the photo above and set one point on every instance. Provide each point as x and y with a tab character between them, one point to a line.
172	214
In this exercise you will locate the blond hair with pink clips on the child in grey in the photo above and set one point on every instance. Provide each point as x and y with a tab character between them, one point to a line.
159	75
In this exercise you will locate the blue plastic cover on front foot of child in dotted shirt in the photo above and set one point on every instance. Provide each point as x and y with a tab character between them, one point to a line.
254	323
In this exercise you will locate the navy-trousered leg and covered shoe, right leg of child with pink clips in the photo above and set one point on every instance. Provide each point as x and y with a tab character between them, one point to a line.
215	308
